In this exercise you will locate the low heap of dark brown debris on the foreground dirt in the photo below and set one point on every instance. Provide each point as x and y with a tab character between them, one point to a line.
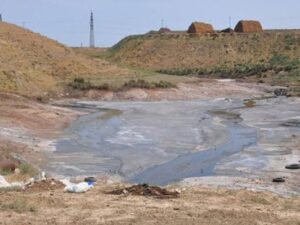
146	190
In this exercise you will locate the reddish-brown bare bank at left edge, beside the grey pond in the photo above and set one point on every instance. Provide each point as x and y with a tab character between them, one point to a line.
36	118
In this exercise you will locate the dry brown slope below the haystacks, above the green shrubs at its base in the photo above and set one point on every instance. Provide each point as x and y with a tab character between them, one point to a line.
180	50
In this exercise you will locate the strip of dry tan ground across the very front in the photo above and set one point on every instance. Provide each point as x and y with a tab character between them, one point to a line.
194	206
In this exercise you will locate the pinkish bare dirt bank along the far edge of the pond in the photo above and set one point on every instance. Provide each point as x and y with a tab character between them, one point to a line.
191	89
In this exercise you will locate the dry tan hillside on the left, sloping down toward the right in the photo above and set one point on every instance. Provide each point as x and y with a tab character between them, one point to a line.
33	65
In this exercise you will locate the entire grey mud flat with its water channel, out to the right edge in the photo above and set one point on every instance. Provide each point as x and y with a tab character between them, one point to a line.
165	142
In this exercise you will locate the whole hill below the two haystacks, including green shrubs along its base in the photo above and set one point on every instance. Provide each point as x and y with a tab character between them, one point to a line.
272	56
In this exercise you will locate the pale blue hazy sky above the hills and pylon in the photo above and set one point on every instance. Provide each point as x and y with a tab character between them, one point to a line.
68	20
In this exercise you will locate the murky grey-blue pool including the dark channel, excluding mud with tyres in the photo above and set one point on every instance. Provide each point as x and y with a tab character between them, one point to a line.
151	142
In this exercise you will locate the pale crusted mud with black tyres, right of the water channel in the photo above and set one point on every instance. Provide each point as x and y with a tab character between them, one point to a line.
278	142
